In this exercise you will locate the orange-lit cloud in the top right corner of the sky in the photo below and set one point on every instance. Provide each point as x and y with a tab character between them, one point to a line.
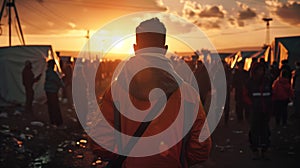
287	12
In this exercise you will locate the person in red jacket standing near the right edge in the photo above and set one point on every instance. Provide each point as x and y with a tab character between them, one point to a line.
282	94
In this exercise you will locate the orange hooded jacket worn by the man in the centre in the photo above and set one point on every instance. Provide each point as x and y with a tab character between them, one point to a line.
195	151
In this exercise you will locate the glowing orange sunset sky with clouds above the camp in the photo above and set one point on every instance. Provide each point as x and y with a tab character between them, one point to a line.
227	23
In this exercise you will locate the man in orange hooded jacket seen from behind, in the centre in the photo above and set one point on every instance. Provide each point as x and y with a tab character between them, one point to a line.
140	85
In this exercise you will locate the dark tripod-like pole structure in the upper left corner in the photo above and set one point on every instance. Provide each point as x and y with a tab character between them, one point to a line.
11	4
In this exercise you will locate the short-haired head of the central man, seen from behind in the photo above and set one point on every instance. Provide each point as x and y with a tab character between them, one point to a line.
150	33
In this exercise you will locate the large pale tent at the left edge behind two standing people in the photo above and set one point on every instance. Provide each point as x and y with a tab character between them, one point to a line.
12	62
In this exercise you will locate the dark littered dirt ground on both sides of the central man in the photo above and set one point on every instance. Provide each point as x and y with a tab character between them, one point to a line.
27	140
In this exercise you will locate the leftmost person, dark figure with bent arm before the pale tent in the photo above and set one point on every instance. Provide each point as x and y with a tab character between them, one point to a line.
28	81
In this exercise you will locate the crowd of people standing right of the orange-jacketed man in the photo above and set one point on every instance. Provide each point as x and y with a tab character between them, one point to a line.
261	93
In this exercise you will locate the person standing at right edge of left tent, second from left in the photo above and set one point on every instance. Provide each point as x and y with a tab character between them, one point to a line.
52	85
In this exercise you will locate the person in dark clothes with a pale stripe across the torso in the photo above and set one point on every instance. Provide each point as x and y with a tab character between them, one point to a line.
258	95
